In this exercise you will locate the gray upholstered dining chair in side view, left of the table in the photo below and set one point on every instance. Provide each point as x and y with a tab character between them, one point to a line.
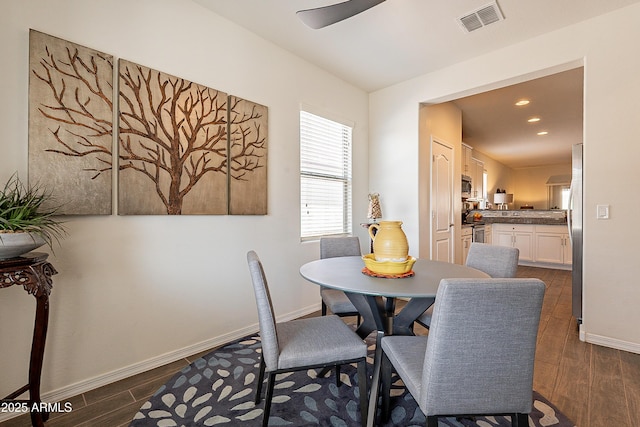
302	344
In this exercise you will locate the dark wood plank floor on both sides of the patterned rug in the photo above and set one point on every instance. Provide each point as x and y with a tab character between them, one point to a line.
594	386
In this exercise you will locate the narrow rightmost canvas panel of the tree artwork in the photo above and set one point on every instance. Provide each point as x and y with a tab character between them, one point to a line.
247	157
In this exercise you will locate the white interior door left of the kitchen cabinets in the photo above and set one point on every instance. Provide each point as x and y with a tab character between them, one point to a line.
442	226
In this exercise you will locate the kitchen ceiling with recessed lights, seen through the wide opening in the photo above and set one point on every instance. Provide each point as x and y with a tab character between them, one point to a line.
494	125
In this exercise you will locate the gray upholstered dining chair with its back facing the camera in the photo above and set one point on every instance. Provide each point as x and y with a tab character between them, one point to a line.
479	354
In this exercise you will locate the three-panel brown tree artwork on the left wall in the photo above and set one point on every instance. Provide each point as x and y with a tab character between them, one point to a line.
179	148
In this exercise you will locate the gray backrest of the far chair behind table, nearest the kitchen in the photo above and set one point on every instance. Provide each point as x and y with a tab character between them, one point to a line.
496	261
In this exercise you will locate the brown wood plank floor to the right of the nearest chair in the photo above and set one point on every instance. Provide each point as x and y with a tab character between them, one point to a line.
595	386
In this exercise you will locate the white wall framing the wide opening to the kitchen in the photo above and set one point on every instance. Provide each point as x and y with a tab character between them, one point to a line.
605	46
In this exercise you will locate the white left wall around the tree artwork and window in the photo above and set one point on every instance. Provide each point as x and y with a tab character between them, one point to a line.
135	291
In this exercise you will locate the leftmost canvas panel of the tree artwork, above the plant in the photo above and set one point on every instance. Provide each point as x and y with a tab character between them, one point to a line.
70	124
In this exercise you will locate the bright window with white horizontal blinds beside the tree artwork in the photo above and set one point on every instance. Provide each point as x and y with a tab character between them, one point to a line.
325	177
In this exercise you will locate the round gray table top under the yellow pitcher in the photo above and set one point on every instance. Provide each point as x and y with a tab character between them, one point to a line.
345	274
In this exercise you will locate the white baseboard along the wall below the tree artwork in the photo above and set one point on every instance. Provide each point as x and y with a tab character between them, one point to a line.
64	393
